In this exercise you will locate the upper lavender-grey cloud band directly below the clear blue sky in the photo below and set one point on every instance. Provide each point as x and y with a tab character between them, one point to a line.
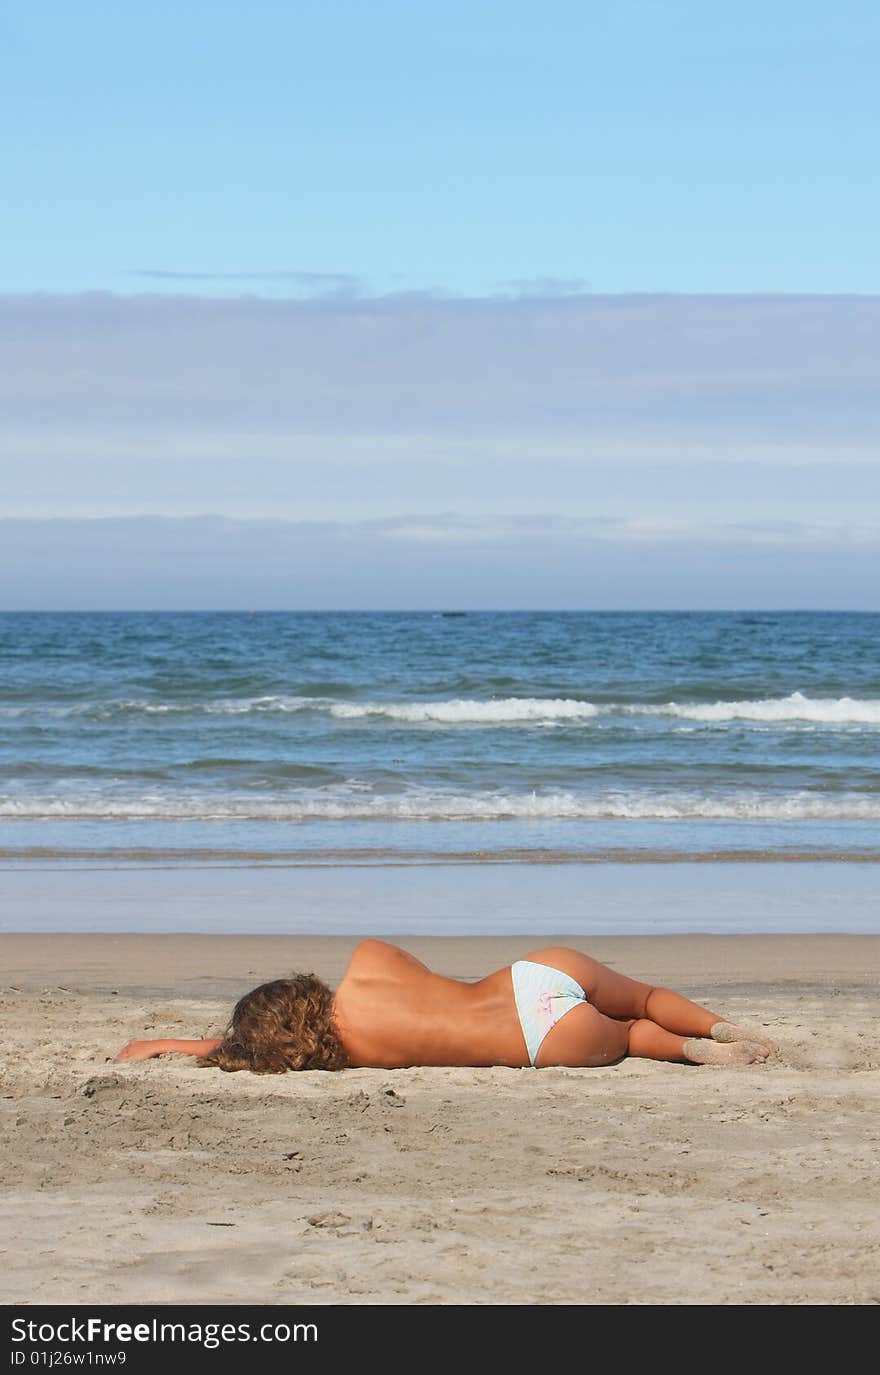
652	371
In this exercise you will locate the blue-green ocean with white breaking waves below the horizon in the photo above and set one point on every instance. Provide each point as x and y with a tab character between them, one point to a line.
439	736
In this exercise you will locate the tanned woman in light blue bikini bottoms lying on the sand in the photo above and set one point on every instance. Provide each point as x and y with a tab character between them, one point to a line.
555	1007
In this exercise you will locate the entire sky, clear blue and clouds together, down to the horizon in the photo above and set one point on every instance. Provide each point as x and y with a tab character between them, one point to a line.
432	287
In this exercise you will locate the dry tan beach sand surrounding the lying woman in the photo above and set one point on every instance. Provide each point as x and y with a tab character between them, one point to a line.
640	1183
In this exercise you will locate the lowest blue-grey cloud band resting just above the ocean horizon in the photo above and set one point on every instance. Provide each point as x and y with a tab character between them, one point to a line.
423	562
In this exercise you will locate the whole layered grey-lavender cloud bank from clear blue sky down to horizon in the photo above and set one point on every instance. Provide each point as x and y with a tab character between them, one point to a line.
665	442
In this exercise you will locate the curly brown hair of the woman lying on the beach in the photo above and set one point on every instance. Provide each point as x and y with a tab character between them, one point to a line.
284	1025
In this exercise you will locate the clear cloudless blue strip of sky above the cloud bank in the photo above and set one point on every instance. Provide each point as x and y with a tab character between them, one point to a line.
463	145
